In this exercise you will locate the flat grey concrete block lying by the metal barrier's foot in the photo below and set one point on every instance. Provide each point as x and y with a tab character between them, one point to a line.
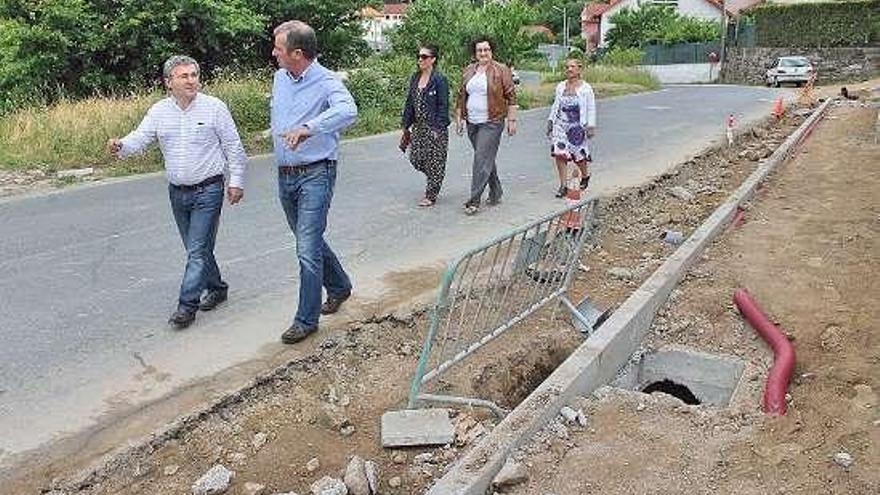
412	427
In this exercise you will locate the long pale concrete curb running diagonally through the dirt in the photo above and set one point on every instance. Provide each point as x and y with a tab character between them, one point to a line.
598	359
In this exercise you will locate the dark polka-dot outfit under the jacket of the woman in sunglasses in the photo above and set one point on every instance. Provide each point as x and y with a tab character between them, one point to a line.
427	152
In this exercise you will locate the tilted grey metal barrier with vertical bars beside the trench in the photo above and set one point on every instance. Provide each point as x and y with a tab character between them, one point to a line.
489	289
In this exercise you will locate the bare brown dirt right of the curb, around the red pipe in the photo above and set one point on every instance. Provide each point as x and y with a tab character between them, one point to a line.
809	253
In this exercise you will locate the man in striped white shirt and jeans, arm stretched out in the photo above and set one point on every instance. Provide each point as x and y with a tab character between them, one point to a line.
200	144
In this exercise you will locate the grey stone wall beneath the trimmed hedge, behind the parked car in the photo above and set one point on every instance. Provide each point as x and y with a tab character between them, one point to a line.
748	65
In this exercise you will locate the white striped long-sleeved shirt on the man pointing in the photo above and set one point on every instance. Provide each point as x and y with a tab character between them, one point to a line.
197	143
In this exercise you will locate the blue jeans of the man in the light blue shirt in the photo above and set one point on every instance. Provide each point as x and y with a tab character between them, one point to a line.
305	198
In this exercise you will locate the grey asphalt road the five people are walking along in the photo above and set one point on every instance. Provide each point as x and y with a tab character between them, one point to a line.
89	275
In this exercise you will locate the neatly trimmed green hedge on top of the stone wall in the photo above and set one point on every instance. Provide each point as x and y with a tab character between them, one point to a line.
819	25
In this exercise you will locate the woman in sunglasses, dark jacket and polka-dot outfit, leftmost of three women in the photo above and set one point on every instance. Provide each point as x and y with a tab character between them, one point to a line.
425	123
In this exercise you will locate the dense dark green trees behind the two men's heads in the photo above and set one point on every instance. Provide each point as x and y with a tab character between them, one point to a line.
79	48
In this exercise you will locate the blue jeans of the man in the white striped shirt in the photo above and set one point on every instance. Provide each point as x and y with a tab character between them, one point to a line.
197	213
